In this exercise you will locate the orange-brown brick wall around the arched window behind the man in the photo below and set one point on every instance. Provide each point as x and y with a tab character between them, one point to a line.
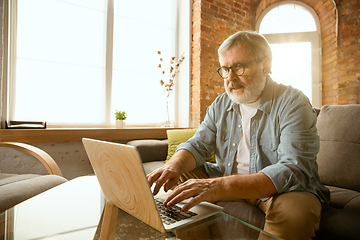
215	20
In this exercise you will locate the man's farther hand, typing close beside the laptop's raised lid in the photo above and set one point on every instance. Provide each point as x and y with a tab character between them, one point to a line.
167	176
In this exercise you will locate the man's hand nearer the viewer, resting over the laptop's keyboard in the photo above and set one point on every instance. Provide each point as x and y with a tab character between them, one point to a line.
201	190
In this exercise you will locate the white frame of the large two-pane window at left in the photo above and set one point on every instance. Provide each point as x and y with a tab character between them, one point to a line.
183	45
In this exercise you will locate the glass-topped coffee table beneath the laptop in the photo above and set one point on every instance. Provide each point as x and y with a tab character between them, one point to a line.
74	210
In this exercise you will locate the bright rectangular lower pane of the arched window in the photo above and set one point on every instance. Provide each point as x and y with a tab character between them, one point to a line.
292	65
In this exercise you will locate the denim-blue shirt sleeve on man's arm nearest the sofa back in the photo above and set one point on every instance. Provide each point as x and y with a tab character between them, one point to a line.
299	144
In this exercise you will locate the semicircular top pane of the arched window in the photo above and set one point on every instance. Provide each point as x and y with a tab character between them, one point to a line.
287	18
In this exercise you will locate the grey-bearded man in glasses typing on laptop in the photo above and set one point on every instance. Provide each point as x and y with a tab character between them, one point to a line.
265	139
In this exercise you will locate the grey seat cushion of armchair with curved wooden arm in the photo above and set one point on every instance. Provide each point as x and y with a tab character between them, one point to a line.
17	188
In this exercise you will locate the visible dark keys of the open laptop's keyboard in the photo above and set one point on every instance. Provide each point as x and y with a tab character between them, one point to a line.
173	214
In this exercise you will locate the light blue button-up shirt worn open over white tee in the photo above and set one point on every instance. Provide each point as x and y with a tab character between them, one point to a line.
283	139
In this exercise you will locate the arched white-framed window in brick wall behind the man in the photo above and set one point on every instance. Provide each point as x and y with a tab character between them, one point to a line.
292	30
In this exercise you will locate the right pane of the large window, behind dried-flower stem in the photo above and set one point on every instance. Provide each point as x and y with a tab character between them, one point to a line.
136	76
